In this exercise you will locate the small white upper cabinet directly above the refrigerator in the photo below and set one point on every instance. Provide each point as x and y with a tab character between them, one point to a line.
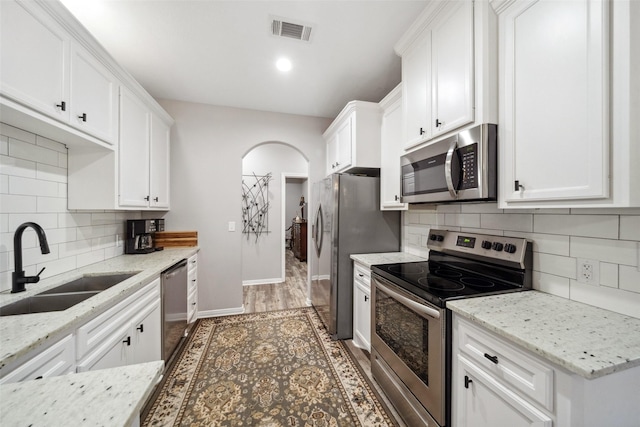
353	139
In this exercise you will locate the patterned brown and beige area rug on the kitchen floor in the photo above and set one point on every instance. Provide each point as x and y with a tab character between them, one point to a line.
266	369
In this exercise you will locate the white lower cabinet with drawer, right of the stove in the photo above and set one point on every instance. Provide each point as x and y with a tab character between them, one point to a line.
497	383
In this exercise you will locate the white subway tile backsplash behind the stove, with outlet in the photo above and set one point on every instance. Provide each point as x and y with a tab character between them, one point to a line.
560	236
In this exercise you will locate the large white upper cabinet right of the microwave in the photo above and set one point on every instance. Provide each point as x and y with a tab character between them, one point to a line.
567	104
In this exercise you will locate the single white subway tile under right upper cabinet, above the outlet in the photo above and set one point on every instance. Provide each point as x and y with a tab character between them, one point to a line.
603	226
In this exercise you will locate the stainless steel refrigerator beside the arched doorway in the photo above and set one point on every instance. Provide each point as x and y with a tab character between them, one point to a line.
347	220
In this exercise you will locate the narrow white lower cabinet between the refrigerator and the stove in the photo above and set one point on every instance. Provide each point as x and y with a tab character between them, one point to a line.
361	306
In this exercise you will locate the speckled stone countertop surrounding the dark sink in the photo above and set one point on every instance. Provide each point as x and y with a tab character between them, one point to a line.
21	334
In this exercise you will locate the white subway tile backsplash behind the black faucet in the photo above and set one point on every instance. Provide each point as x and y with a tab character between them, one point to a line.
33	187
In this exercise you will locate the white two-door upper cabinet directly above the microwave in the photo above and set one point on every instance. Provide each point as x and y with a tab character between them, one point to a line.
449	70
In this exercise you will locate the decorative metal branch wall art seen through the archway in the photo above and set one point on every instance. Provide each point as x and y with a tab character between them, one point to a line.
255	204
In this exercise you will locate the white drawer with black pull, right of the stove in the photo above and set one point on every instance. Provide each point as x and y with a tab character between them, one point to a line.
513	367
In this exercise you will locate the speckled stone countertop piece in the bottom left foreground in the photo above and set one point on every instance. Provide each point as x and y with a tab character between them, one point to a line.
107	397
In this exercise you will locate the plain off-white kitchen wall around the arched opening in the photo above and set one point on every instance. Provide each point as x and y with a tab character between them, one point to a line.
207	147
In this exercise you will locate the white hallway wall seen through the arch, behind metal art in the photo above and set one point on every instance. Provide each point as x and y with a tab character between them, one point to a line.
262	257
